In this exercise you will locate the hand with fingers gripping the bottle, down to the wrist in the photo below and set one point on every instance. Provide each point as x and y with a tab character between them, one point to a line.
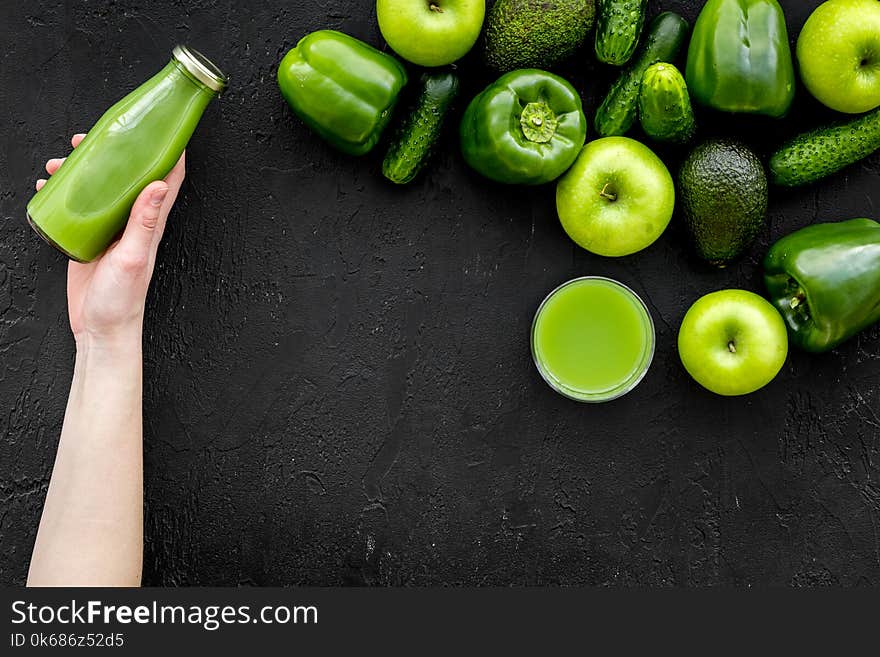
105	298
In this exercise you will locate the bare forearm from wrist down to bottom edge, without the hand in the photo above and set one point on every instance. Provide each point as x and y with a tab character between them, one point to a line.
91	531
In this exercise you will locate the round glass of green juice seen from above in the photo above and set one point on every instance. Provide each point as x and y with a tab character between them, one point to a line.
592	339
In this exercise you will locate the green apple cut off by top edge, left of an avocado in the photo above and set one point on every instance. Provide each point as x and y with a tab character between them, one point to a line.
431	32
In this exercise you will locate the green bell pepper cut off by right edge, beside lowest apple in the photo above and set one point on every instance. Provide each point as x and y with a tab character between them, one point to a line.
825	280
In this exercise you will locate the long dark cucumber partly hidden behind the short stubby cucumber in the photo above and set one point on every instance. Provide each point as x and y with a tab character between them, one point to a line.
666	36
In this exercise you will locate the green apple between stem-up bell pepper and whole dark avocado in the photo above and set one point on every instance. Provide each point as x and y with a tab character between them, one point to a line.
617	198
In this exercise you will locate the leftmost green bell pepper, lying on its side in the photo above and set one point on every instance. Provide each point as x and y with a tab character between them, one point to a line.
342	88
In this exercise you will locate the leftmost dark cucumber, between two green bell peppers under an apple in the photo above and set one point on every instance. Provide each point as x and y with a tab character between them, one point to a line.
412	144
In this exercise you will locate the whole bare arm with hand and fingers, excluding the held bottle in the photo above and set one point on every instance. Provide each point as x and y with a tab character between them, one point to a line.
91	531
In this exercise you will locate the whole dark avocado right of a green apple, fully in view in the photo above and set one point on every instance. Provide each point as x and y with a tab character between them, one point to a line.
723	192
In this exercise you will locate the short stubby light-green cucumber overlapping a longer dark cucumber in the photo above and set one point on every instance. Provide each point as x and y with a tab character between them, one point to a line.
665	108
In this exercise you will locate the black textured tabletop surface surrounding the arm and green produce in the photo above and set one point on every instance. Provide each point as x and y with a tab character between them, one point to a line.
338	380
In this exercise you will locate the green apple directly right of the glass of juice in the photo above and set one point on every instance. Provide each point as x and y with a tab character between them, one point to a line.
732	342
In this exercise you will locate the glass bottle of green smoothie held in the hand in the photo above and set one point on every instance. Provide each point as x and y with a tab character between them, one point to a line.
85	205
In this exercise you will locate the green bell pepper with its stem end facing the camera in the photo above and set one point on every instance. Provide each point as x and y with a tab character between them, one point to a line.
525	128
